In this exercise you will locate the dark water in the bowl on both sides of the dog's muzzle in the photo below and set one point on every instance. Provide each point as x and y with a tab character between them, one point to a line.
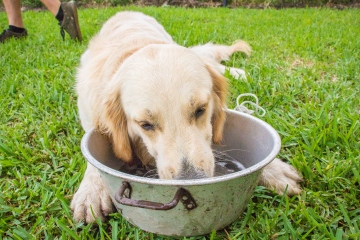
224	164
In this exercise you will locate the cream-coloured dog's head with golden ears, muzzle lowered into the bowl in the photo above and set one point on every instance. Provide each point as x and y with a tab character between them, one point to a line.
166	104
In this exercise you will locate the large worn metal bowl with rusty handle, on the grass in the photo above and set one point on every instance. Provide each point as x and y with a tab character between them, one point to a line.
189	207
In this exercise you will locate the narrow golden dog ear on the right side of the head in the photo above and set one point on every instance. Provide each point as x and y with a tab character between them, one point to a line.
220	92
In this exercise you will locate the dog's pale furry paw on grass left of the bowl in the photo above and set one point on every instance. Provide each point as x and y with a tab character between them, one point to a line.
92	199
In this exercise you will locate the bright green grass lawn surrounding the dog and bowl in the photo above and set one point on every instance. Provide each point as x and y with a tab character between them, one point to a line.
304	69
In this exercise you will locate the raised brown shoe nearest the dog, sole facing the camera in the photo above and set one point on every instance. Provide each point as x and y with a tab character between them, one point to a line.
70	23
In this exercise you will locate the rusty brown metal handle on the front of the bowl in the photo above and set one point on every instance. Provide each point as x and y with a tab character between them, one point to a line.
123	197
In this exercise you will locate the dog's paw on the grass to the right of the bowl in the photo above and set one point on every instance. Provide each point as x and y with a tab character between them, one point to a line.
281	177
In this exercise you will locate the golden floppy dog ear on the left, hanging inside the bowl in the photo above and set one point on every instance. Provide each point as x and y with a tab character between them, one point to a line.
112	122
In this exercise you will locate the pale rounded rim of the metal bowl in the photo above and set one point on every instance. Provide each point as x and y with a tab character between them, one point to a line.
188	182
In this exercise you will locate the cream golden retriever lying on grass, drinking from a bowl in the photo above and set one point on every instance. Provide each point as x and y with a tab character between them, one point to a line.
157	102
